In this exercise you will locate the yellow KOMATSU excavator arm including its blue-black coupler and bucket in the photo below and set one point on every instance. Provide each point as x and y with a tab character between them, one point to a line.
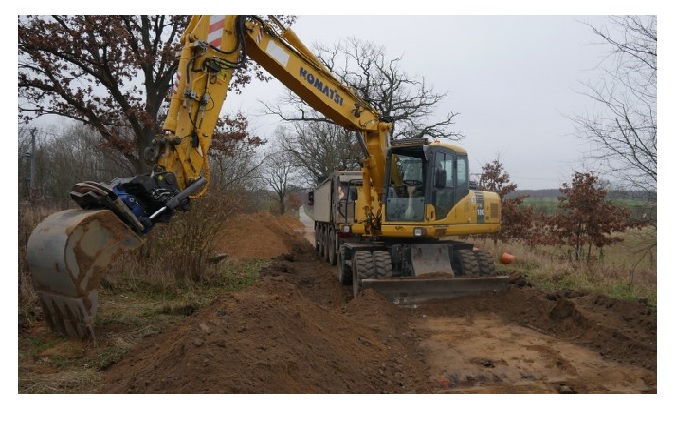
69	251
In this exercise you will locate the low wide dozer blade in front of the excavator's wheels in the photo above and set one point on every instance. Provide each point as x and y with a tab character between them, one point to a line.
418	290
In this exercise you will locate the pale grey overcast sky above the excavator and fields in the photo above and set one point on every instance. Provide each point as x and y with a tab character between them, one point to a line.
513	79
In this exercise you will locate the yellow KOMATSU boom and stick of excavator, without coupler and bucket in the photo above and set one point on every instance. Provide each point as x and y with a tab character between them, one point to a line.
216	46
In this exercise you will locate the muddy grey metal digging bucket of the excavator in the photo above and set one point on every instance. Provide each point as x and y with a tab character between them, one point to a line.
67	254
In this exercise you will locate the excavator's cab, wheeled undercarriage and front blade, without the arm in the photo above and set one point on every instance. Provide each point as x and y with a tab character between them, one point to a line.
428	203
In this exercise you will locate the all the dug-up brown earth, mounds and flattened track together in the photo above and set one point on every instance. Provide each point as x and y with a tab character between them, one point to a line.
299	331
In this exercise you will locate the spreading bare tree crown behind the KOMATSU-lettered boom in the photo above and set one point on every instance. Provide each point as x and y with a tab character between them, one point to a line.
319	146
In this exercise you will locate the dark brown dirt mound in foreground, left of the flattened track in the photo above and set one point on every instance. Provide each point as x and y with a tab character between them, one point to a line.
272	339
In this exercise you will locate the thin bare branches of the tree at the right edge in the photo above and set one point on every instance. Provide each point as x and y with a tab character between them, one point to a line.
624	130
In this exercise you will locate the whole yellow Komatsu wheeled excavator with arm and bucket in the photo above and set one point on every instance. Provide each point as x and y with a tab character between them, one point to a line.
388	243
